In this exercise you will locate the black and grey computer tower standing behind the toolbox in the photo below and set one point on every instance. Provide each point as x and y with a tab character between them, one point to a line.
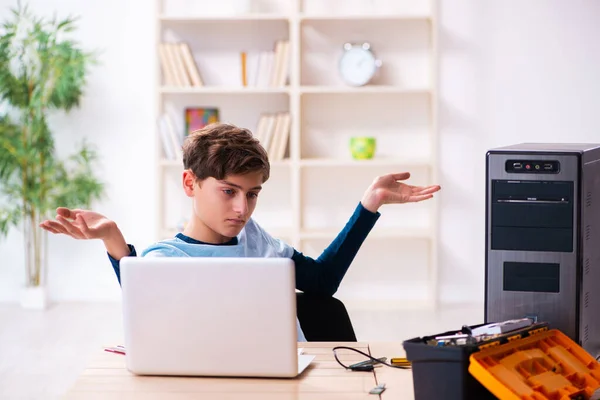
543	237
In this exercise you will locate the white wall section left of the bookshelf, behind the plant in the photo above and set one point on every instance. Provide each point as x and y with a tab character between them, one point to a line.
116	115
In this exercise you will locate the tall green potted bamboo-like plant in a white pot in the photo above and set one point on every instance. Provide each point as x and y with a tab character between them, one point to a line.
41	72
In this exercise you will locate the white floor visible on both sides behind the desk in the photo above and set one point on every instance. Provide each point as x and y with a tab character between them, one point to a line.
42	353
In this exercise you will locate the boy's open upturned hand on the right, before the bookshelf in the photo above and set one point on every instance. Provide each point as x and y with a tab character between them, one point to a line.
387	189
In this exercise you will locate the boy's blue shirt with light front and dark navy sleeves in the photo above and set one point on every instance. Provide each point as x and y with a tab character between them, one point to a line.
318	276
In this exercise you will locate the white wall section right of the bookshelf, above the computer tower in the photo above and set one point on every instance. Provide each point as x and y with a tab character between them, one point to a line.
511	72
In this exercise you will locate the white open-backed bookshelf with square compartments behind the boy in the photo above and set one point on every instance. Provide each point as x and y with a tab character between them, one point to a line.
314	189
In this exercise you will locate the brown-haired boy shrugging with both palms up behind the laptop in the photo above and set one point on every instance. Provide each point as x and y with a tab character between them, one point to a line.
225	168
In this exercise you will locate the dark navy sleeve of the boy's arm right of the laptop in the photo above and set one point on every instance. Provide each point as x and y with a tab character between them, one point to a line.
324	275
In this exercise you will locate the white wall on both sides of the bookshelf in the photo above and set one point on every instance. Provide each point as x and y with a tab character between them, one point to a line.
510	71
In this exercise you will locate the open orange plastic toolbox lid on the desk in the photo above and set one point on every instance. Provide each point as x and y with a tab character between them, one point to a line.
547	365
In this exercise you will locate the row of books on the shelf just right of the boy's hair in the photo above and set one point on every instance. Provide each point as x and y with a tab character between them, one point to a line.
273	132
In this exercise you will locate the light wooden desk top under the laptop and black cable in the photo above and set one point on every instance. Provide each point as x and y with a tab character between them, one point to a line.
107	378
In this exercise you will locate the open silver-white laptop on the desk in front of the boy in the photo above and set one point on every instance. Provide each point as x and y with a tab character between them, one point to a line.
211	316
